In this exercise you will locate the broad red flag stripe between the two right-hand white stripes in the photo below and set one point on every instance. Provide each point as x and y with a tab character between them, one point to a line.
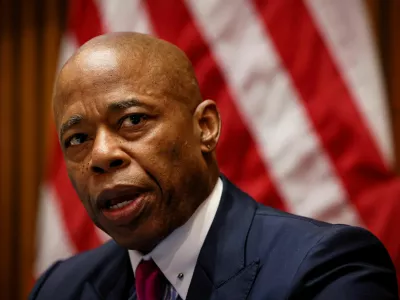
329	103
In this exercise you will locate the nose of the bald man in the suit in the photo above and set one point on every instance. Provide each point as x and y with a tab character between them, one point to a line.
107	155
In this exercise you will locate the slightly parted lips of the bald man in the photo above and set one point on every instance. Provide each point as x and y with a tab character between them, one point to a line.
118	194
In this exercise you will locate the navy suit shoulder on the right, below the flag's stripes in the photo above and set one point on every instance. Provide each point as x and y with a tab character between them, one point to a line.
292	236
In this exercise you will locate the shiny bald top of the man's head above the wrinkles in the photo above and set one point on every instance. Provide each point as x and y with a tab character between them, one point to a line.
128	56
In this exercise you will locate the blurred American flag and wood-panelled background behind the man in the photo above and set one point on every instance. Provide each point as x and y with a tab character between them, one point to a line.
308	95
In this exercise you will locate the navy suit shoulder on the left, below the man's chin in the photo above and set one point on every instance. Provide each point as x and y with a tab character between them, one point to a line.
67	275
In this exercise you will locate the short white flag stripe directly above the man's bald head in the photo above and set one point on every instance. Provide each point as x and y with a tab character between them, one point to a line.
131	16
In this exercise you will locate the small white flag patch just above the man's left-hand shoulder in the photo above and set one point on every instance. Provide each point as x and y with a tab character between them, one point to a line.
52	241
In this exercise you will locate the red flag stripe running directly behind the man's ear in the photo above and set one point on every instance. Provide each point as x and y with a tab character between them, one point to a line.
236	144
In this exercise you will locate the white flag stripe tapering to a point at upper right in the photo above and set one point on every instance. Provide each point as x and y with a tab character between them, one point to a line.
346	31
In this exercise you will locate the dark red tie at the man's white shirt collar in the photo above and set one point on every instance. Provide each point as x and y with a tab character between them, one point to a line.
150	281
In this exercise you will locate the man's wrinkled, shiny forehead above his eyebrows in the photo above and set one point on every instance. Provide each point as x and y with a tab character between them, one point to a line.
96	79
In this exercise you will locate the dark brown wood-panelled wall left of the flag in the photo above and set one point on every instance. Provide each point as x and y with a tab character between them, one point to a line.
29	43
